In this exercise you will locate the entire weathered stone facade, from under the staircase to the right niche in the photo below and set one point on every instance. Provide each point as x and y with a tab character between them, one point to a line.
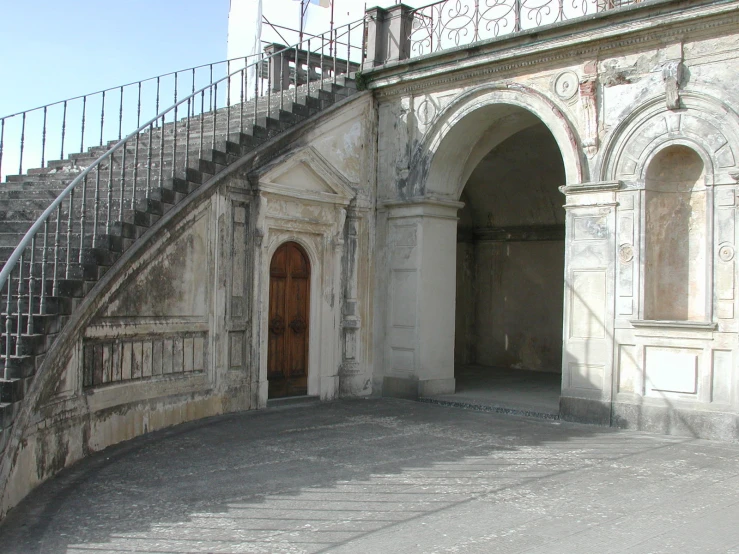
561	200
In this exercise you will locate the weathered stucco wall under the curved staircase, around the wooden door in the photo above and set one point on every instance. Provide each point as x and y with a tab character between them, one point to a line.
173	332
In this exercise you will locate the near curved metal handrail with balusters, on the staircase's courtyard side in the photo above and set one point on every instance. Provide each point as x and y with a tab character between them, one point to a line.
276	92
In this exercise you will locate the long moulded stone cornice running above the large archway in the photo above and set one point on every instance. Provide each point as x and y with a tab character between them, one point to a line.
431	72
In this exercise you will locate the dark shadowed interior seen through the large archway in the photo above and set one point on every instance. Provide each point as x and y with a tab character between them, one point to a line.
510	276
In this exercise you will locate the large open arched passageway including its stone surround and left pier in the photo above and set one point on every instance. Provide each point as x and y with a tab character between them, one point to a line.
476	254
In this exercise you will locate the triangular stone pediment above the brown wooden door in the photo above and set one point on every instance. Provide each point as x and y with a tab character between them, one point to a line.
305	174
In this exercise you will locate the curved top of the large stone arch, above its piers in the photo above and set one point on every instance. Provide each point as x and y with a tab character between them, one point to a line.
475	123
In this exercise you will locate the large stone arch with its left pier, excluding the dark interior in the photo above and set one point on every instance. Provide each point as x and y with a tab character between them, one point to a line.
422	224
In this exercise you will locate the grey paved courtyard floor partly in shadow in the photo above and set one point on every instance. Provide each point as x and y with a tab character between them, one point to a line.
387	476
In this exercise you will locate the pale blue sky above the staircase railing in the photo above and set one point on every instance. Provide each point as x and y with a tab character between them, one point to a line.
55	49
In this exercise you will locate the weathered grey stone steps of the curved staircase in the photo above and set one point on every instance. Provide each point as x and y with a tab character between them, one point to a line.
167	163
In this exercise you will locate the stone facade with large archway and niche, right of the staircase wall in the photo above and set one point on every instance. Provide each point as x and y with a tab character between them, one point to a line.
635	121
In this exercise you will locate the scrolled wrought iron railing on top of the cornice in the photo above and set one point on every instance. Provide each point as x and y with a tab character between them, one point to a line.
451	23
